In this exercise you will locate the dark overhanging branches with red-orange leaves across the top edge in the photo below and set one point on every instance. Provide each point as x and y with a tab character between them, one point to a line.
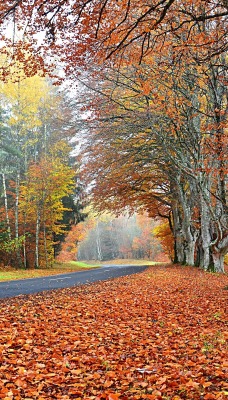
76	31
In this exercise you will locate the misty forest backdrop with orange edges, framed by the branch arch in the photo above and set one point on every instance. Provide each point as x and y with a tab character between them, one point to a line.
107	237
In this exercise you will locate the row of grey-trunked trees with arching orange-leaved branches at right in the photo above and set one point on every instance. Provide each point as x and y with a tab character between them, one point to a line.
159	143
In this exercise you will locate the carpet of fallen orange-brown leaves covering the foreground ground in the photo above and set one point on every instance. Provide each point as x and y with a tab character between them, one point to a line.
160	334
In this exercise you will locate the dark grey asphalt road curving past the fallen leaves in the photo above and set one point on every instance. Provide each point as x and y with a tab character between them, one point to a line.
36	285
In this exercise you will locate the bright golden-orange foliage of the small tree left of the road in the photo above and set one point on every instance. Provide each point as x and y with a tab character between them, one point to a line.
47	182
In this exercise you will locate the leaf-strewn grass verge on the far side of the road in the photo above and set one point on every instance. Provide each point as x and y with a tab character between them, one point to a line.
8	273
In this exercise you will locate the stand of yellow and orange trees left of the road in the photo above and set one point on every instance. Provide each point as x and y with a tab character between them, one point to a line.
38	178
